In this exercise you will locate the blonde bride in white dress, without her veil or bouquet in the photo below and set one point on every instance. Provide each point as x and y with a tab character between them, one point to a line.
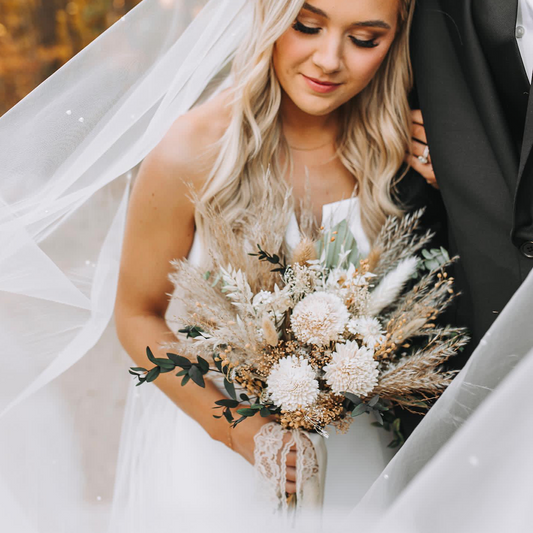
319	97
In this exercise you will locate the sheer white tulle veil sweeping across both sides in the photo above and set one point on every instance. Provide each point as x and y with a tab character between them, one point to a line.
69	152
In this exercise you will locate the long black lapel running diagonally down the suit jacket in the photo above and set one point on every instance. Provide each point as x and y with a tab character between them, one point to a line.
480	80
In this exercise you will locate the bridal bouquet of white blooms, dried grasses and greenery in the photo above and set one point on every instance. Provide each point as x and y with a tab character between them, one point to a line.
320	335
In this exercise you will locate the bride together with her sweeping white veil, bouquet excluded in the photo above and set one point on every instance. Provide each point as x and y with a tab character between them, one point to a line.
70	152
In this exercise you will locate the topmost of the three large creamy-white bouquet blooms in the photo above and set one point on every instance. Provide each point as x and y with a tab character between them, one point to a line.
319	318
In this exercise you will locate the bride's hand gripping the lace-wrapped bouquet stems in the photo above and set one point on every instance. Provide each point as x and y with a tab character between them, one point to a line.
241	440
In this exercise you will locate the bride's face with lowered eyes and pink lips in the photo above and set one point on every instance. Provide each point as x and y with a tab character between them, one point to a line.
333	50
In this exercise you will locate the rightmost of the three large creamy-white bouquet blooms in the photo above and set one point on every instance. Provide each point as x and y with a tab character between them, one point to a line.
352	369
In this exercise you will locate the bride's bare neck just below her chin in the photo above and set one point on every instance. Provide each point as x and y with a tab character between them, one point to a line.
304	130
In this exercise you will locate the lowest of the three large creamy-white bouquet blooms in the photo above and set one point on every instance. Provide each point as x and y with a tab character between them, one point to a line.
292	383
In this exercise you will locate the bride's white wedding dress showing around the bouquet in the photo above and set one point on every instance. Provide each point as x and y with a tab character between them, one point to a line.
171	472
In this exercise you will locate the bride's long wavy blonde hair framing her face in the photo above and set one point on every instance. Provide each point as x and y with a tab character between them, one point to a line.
374	133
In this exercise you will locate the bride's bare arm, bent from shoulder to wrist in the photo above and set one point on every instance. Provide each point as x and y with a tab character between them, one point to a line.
160	227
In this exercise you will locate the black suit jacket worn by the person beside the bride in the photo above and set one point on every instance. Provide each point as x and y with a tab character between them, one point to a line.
472	90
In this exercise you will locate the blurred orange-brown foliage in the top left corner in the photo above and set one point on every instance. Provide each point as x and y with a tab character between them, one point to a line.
39	36
